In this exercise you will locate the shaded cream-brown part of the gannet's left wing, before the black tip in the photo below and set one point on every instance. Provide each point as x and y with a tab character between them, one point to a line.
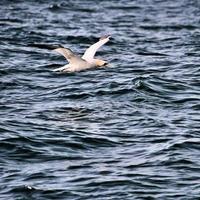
69	55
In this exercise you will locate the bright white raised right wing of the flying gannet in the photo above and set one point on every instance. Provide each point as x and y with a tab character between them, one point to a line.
90	52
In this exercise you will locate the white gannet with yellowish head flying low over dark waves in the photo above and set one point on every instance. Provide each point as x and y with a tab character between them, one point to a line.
77	63
